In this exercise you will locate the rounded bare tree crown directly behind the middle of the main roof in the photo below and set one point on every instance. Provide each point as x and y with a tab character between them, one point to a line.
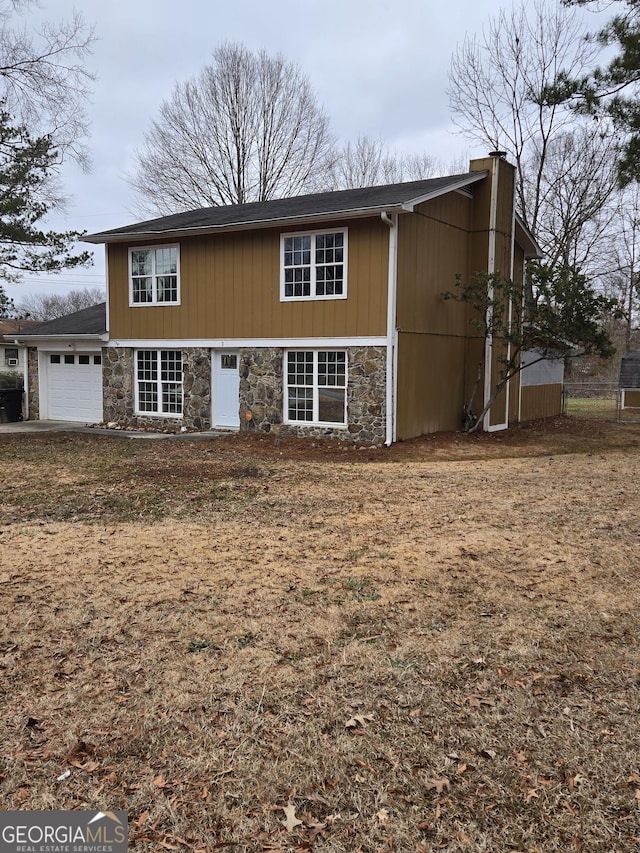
247	128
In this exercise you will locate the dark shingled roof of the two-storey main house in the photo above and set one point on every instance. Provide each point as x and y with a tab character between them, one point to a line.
302	207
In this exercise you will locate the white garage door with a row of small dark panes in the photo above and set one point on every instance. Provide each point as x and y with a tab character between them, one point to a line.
74	387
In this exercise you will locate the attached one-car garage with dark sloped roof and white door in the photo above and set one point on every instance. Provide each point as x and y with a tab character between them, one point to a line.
64	376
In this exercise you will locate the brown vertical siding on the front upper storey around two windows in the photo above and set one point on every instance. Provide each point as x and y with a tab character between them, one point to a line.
230	288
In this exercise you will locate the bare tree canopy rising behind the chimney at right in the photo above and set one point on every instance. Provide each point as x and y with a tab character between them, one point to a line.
498	88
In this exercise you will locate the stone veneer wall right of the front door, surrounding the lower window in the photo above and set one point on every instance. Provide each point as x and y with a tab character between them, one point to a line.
262	395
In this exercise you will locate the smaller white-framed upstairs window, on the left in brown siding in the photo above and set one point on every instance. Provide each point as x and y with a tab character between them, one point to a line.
154	275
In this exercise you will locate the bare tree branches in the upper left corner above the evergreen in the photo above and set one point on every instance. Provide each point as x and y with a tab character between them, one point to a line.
44	82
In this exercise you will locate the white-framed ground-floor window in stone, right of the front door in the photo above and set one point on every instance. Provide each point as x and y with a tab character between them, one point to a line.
316	387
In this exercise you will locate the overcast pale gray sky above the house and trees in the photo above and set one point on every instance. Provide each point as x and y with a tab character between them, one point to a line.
379	68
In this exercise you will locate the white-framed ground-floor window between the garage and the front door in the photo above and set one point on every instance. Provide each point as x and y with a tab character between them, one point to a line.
158	382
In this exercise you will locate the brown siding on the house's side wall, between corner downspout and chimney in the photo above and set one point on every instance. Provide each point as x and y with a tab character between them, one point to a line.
433	247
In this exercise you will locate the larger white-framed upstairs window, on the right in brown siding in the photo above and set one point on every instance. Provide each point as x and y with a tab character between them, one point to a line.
313	265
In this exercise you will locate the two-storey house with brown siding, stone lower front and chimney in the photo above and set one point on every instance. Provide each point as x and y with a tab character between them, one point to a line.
316	315
